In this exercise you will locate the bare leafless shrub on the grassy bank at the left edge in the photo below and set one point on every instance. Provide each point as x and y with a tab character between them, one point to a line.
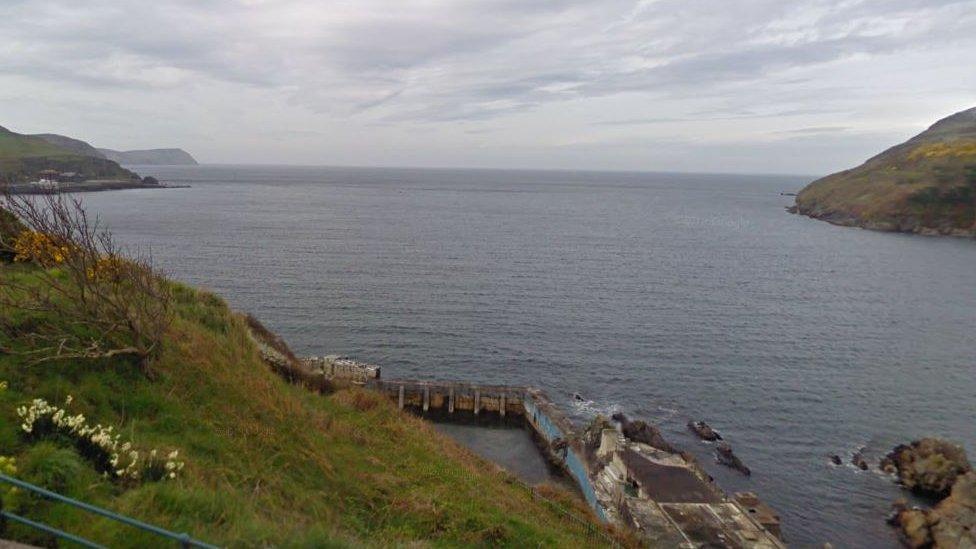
87	299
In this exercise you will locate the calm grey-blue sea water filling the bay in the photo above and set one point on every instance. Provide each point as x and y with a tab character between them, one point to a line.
666	296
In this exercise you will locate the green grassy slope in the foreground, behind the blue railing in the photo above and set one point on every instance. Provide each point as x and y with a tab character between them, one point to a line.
267	462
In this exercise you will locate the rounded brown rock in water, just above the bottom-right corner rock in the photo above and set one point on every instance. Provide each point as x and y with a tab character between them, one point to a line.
928	466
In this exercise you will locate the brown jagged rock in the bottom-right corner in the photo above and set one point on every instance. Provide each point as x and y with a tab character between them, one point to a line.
951	524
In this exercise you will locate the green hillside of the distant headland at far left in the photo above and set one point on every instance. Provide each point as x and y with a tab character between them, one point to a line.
23	156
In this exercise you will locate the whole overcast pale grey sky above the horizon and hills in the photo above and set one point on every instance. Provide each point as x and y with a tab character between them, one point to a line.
748	86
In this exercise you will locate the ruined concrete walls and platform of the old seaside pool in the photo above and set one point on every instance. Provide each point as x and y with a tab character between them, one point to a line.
665	497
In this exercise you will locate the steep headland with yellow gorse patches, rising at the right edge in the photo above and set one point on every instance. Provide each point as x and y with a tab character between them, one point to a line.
926	185
